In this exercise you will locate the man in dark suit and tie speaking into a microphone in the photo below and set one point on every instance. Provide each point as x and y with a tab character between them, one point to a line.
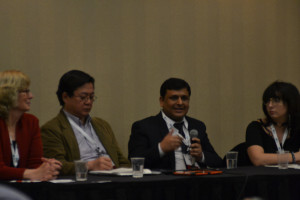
164	140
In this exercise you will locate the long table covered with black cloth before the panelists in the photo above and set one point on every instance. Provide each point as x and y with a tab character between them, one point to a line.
268	183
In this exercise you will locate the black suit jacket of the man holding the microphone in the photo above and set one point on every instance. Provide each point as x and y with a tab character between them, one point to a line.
147	133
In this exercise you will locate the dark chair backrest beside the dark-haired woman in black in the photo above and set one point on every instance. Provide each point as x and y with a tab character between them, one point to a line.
243	158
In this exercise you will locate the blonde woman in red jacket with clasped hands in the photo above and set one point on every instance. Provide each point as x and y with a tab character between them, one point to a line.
20	141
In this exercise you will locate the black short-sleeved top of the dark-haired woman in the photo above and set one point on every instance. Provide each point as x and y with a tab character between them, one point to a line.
258	134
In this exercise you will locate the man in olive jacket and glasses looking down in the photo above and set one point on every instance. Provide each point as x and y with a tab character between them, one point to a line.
74	135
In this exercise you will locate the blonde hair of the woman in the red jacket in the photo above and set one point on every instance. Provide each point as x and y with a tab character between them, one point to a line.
11	83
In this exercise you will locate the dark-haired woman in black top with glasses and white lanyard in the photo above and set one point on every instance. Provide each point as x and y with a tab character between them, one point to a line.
280	129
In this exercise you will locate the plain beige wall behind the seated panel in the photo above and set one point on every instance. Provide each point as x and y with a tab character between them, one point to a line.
228	50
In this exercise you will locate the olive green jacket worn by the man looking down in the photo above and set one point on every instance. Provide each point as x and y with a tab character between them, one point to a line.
59	142
